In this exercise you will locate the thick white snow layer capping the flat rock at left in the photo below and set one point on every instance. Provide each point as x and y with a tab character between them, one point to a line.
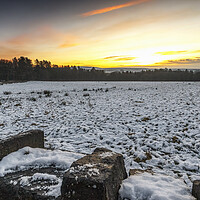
36	158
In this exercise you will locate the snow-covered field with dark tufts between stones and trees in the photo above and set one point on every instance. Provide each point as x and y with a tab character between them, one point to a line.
155	125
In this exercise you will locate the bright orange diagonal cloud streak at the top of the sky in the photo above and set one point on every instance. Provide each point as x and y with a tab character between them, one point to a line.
108	9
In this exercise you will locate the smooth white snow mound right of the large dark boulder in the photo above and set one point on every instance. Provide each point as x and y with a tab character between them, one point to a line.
154	187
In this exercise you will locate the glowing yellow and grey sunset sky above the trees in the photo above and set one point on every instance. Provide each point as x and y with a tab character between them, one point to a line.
103	33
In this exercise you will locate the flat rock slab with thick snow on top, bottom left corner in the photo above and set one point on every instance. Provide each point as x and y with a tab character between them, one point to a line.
34	173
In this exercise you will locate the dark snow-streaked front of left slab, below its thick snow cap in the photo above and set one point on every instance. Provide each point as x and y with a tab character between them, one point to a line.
15	186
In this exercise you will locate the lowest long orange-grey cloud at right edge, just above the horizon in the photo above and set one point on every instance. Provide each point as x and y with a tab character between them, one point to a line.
181	61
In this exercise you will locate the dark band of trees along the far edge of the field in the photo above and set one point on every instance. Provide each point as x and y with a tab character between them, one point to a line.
23	69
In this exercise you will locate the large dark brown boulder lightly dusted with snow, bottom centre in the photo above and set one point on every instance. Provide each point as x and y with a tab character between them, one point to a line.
94	177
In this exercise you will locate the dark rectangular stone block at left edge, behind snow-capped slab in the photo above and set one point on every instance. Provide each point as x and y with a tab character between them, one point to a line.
33	138
